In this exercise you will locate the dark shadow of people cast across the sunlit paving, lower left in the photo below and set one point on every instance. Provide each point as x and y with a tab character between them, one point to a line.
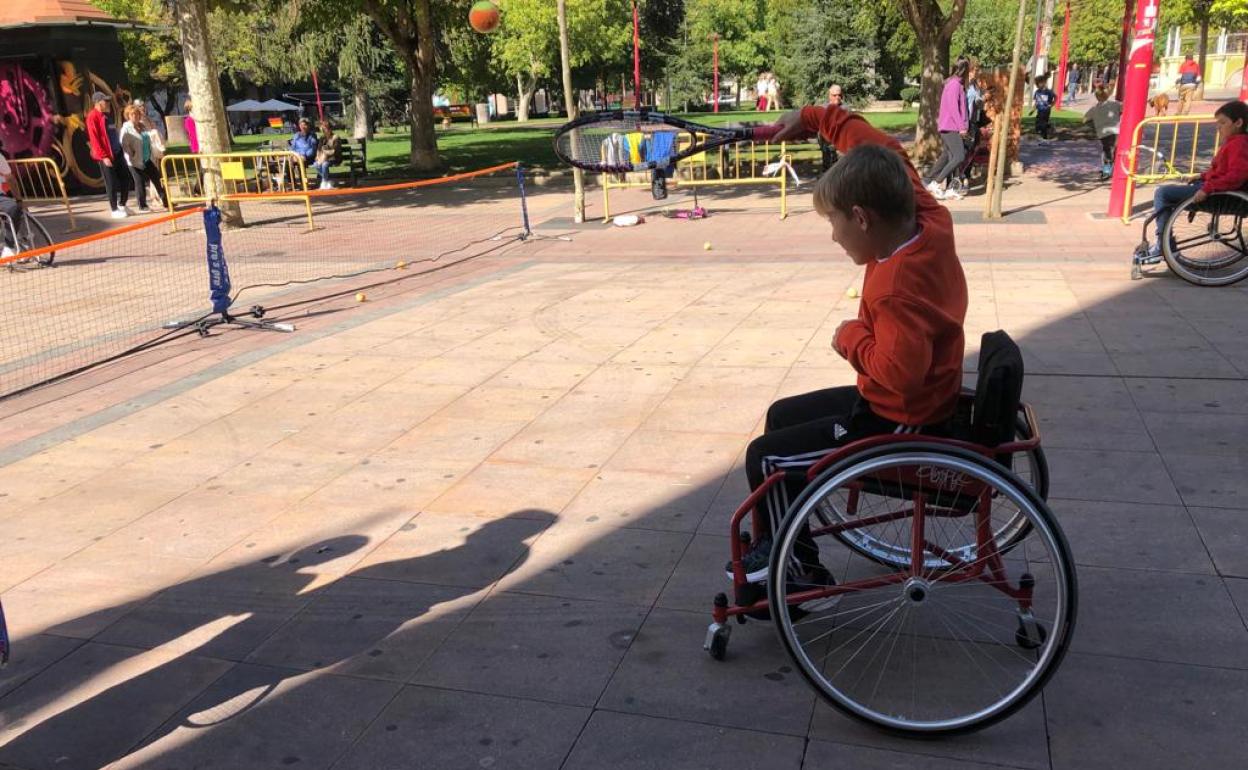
280	618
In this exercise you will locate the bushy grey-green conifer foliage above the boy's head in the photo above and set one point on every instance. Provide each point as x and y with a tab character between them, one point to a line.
819	43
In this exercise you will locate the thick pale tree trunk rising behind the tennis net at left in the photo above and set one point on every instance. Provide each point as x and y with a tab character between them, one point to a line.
204	83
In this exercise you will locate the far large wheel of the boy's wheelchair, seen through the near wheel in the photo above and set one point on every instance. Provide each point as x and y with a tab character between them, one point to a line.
879	542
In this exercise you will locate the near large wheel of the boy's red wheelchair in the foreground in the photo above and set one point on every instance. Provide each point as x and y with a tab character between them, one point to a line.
922	650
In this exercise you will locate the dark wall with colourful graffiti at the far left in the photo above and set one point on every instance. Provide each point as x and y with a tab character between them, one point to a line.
46	94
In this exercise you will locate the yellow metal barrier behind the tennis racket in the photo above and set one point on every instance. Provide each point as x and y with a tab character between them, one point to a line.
741	164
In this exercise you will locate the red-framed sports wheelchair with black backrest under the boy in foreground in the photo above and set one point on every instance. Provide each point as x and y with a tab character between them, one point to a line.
952	596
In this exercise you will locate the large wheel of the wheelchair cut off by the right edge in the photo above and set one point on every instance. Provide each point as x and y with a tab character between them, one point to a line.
1205	243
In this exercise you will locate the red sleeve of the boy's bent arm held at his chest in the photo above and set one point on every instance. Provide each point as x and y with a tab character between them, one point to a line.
897	355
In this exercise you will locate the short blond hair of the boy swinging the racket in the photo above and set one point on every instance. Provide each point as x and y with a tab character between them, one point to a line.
869	177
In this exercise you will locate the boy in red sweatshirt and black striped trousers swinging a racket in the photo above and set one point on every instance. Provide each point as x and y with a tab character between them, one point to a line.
907	343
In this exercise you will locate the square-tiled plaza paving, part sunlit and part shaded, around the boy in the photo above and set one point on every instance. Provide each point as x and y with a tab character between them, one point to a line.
407	536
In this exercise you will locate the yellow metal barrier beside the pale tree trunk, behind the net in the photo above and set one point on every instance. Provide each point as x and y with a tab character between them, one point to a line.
238	175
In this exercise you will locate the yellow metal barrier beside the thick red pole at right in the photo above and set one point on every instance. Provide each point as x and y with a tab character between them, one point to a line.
1168	157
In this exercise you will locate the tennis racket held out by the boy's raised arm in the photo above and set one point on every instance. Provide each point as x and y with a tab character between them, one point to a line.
620	142
